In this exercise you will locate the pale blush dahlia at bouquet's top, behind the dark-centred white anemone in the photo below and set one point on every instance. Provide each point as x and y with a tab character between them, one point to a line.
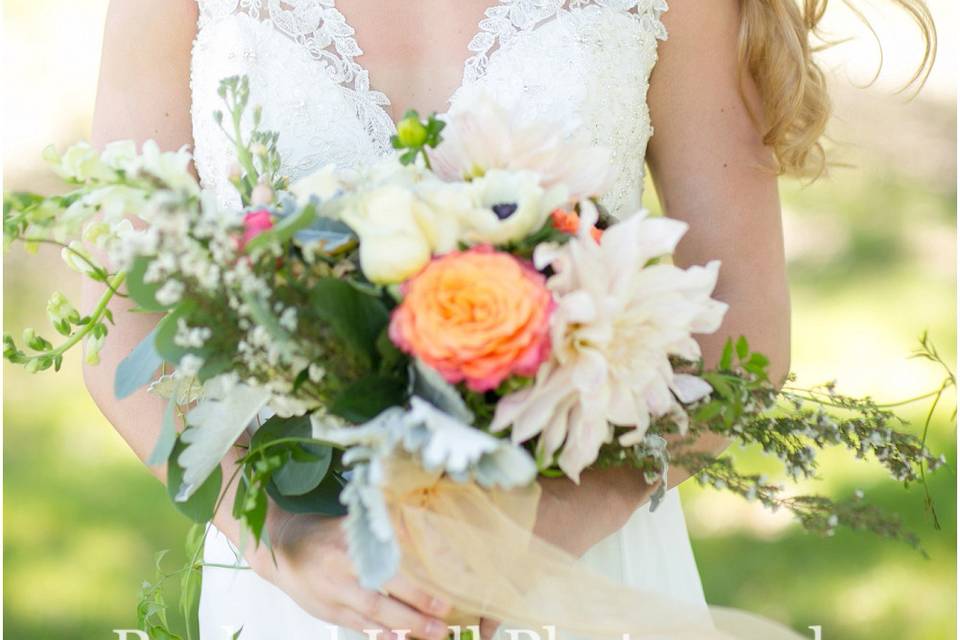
482	135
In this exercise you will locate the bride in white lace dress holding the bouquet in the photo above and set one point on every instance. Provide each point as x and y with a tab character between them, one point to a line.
735	99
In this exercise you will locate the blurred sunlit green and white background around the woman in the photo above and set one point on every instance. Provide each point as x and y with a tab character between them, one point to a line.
872	258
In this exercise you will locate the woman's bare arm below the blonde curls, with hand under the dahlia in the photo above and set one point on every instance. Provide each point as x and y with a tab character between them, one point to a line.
712	171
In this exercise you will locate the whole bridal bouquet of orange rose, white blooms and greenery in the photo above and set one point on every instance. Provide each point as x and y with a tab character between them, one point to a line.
418	340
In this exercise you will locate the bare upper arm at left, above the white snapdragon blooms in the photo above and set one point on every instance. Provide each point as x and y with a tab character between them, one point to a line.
144	87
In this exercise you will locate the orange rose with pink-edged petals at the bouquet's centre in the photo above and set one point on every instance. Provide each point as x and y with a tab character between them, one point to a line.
476	316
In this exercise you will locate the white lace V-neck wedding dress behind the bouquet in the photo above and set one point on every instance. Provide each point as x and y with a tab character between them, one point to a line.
583	63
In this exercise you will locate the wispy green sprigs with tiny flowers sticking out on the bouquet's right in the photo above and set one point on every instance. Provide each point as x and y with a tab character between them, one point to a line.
791	425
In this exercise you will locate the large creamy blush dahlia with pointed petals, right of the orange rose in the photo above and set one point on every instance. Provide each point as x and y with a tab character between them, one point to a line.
616	325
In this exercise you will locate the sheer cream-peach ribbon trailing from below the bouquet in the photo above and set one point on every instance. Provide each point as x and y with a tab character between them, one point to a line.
475	548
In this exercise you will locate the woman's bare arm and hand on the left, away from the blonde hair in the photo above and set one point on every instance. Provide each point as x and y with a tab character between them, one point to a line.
144	93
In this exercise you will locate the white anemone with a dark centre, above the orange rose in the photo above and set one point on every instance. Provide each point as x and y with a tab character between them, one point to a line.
508	206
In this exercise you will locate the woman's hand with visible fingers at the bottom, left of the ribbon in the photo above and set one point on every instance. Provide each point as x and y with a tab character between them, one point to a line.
312	567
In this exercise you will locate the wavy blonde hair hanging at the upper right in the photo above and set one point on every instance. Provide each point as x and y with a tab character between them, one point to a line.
777	42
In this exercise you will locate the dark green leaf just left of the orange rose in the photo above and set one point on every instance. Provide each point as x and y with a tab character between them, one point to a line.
356	317
